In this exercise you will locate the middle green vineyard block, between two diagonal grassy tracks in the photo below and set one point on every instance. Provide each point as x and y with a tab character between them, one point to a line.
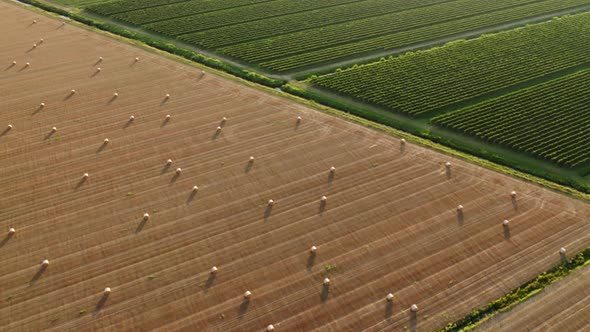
426	81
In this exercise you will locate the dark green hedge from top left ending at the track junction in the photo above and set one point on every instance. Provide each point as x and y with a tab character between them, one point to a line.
170	48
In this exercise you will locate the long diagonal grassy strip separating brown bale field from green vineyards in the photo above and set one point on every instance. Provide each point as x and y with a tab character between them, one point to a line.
297	94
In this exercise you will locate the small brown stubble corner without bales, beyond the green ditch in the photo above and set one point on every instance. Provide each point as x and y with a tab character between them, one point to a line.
562	307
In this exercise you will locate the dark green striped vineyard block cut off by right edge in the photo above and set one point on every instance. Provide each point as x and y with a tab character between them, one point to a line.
549	121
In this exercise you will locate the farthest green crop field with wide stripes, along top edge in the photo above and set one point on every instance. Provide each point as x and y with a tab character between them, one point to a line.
285	36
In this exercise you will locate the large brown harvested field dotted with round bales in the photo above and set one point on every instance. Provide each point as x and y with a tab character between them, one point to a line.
116	214
